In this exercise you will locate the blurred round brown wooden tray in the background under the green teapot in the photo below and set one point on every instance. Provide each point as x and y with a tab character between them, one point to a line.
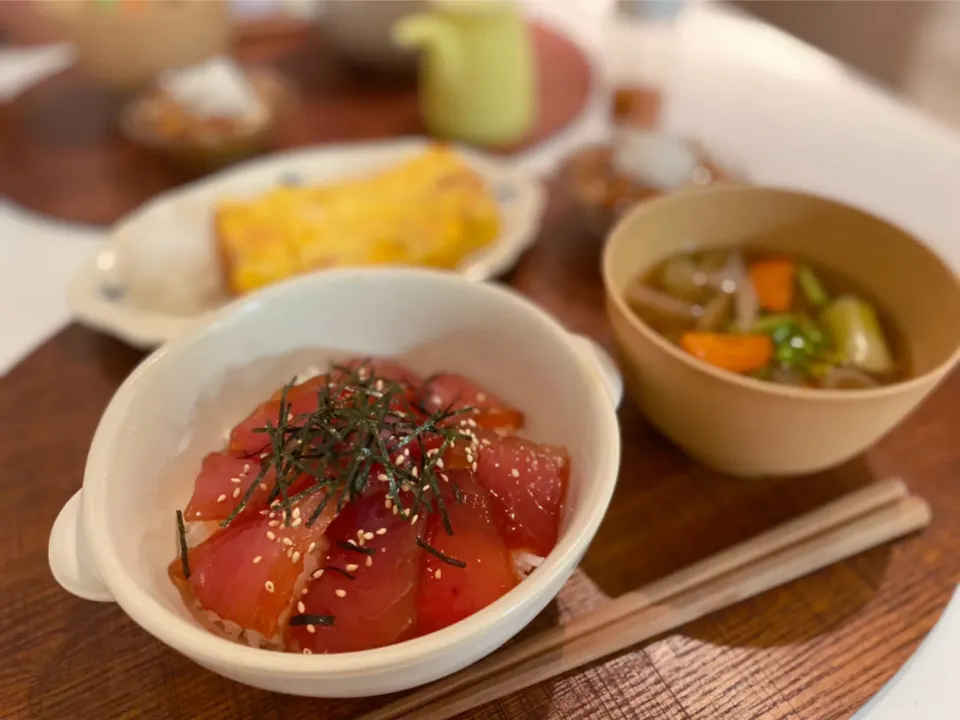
62	135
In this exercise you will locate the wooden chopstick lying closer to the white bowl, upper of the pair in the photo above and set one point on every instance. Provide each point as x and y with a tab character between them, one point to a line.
831	515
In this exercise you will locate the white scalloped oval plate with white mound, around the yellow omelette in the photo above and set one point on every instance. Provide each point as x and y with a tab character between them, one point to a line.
158	272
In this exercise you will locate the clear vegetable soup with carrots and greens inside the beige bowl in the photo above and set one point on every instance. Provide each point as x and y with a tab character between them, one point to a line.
770	316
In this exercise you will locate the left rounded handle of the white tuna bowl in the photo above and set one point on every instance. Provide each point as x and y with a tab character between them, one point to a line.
69	554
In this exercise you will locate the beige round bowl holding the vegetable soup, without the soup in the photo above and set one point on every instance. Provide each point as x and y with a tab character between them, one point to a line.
747	427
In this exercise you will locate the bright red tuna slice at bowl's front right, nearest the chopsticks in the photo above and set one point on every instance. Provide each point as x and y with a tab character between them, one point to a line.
448	593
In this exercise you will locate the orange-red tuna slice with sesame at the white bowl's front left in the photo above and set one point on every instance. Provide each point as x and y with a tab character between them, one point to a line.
249	572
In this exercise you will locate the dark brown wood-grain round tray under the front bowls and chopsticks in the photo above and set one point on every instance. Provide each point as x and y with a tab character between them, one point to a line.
817	648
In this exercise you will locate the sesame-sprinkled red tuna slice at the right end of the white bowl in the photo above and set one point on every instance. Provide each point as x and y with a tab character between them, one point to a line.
527	484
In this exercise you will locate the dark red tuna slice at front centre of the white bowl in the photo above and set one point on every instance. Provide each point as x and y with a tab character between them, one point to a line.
369	582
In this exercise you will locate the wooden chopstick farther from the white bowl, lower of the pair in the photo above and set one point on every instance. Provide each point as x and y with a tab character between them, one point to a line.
868	531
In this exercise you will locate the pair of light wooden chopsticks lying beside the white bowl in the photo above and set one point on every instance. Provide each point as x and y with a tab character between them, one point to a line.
861	520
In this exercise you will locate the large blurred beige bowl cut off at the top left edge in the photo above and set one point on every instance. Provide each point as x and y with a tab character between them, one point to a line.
124	45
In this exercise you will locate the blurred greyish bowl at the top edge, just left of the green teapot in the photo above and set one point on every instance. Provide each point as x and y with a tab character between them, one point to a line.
360	31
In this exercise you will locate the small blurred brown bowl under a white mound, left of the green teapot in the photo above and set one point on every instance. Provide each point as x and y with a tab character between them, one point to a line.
200	145
